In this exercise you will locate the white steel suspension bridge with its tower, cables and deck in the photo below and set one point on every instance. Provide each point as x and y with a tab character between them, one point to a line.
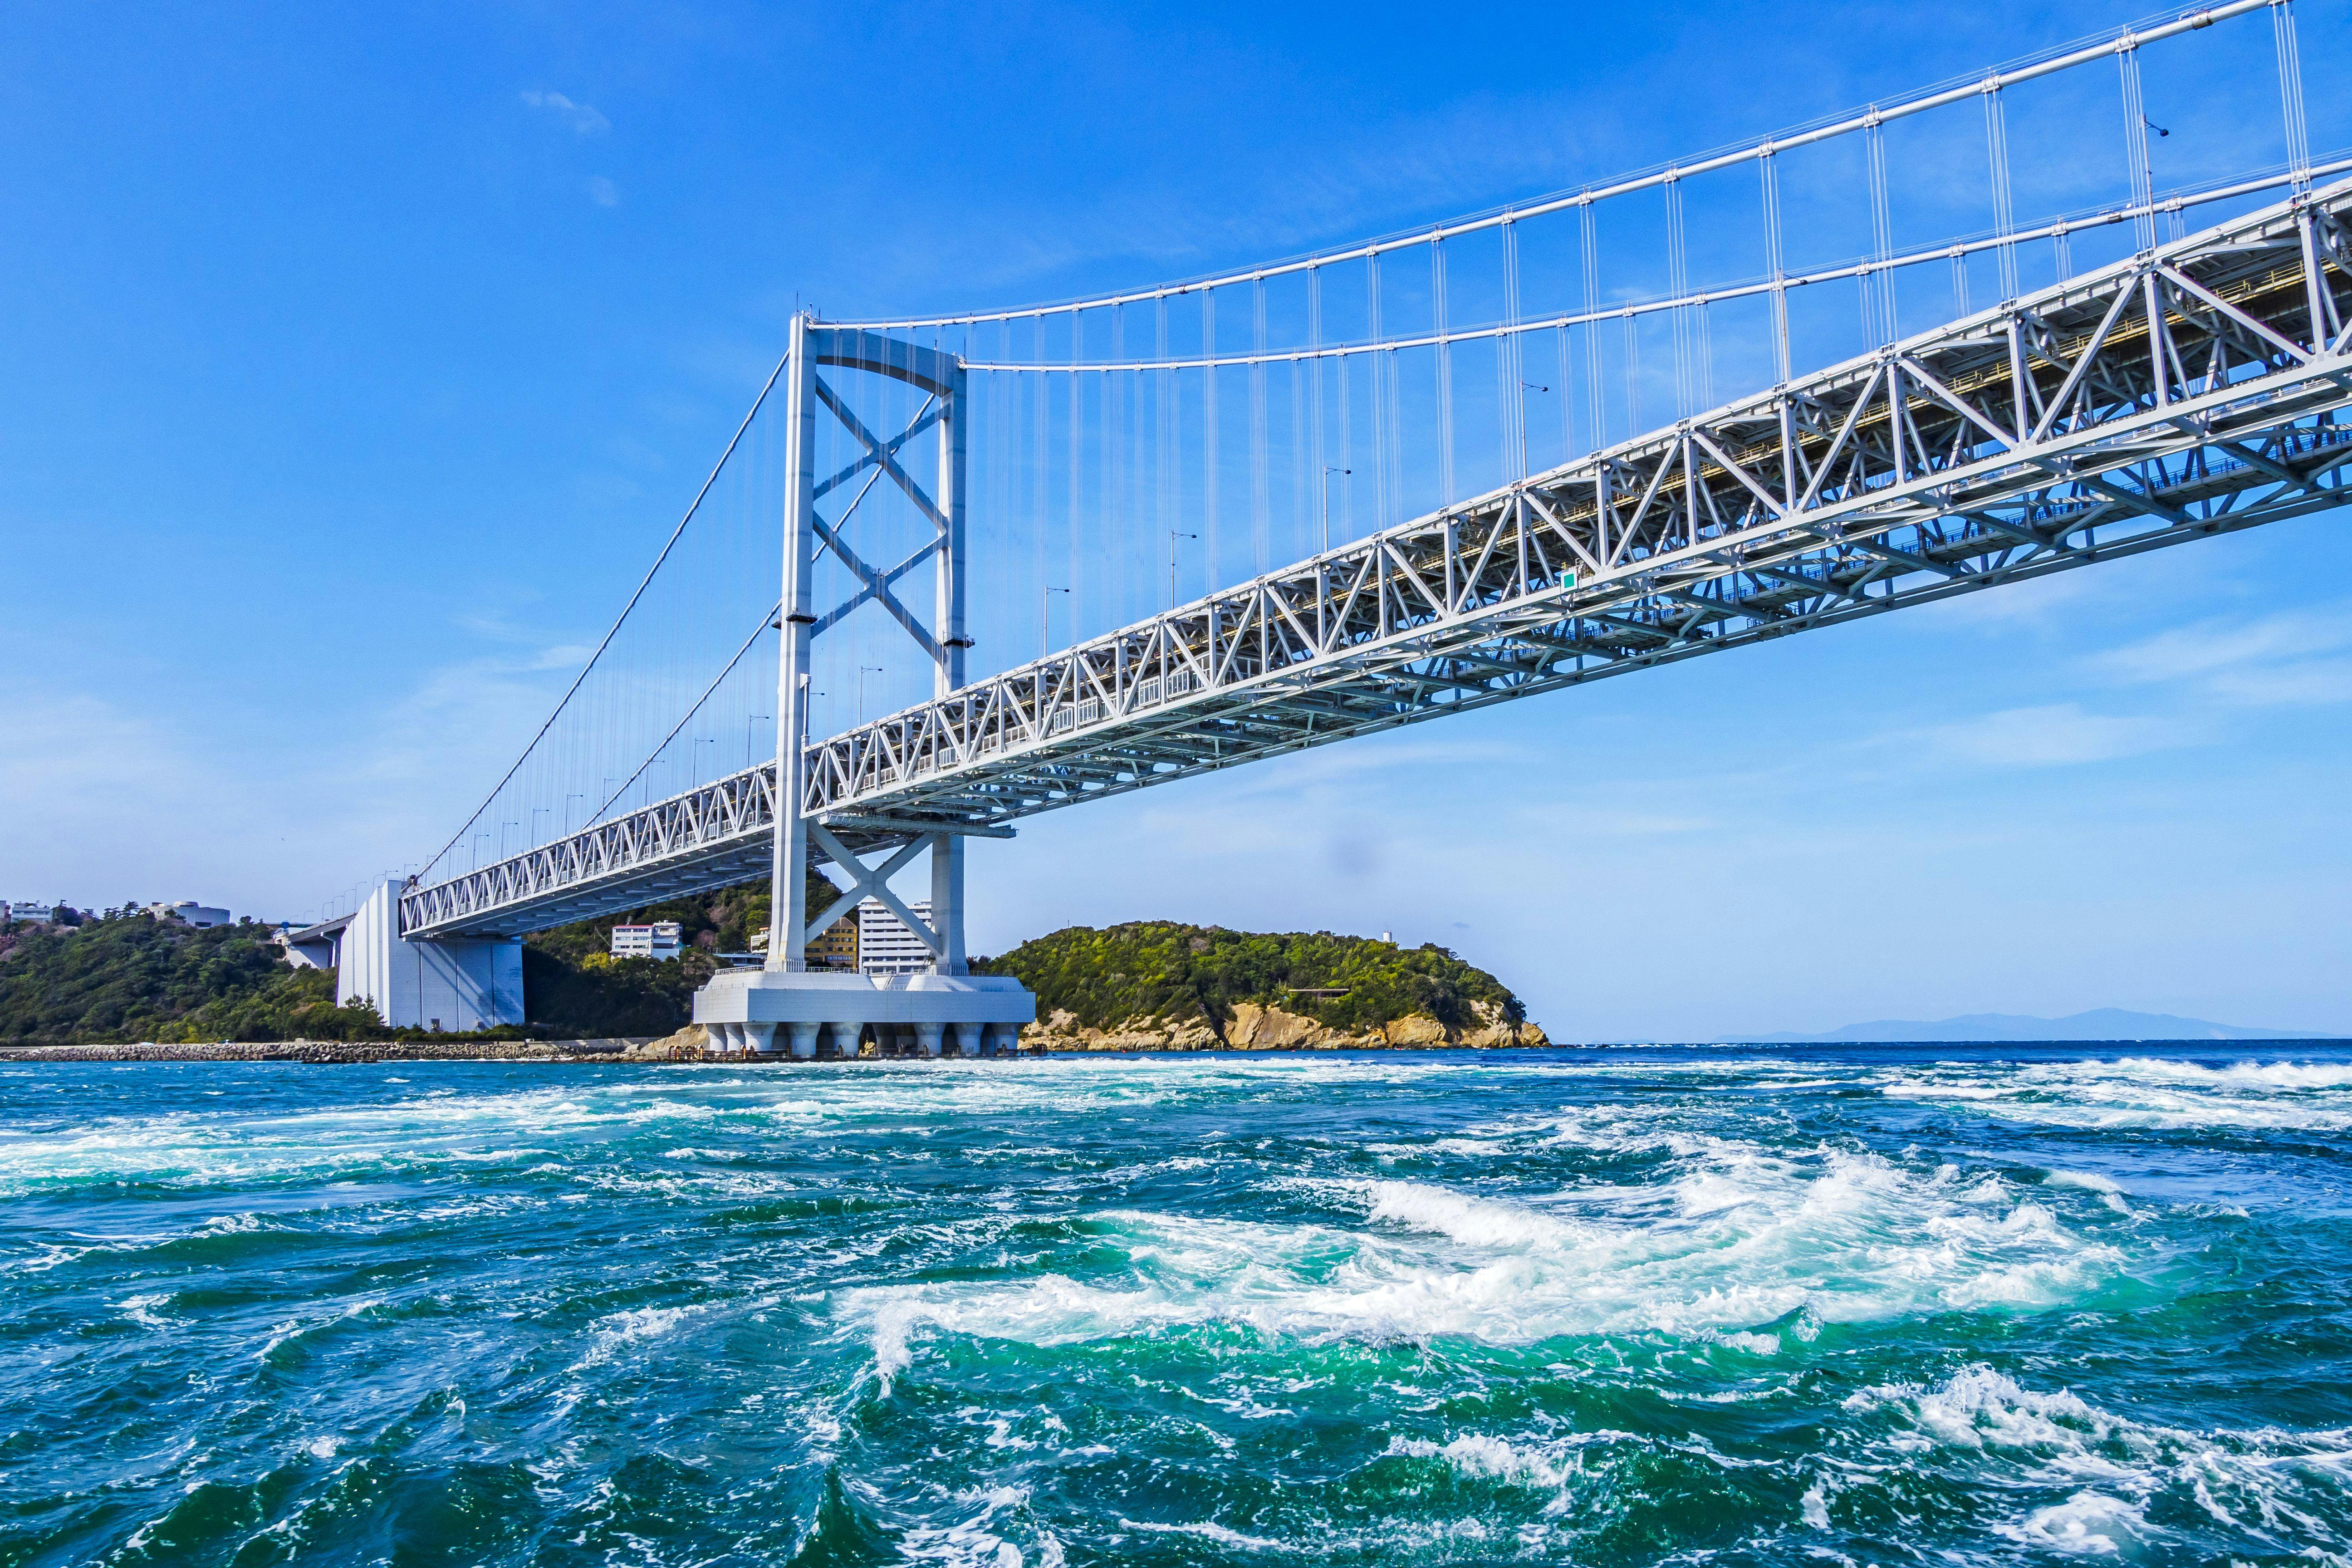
2186	384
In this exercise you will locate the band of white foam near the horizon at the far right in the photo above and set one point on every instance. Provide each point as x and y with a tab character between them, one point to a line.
2139	1092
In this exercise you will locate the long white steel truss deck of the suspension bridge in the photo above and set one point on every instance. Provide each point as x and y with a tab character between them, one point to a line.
2184	394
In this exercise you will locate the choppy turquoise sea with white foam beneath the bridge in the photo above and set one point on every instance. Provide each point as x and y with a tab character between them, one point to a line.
1800	1306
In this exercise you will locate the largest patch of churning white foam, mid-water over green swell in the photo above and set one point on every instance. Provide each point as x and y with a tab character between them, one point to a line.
1737	1238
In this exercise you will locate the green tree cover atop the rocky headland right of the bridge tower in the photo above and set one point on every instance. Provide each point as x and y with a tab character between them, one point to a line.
1161	970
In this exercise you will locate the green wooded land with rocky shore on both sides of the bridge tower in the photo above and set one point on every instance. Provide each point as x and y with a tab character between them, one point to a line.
1144	986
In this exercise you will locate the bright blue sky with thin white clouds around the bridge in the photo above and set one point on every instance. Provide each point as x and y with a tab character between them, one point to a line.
361	359
